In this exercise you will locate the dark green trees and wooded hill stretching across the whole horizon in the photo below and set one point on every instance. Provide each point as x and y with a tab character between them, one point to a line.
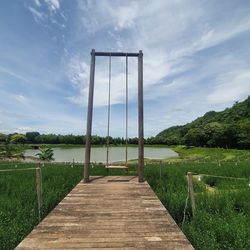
226	129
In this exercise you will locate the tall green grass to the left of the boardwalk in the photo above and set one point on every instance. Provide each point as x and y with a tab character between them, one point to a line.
18	202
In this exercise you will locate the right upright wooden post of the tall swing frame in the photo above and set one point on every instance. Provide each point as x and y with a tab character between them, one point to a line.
140	119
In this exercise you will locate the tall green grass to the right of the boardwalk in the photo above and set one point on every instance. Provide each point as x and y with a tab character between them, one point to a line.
222	219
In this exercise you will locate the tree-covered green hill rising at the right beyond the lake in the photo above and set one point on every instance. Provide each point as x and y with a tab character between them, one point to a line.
229	128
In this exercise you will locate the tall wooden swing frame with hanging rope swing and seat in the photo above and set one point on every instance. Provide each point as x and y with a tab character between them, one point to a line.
140	112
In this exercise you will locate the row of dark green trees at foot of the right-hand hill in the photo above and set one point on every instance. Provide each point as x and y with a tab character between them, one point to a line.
211	135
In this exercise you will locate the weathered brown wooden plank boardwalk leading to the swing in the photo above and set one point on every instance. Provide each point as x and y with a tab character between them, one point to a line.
114	212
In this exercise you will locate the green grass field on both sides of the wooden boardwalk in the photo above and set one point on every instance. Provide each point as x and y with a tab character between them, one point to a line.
222	219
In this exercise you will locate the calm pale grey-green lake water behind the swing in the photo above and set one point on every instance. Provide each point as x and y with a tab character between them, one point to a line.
98	154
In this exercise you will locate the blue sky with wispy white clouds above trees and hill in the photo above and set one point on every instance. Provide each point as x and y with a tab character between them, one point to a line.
196	59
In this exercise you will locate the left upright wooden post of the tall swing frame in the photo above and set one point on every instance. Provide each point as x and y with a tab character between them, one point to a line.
89	118
